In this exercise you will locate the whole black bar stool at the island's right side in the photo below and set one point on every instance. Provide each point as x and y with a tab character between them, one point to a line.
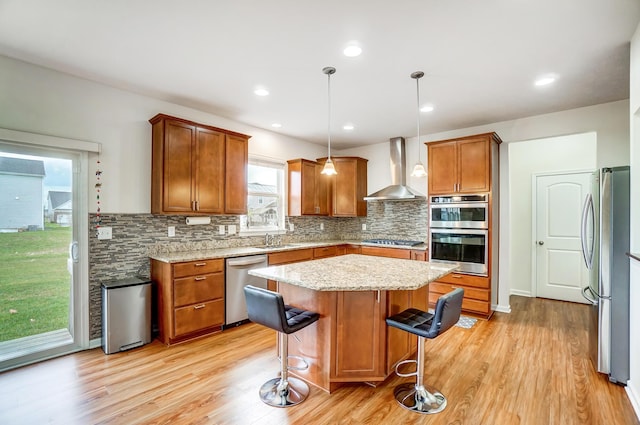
416	397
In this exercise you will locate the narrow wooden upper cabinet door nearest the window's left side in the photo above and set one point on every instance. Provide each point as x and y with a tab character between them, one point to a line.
236	175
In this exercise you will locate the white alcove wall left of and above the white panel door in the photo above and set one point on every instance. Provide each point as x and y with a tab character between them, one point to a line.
526	159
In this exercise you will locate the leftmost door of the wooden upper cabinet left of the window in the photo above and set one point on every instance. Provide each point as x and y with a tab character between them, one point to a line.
178	189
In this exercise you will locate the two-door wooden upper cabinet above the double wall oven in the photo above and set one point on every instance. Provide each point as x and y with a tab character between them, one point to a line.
461	165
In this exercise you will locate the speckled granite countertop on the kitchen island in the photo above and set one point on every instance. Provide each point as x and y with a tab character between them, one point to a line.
355	272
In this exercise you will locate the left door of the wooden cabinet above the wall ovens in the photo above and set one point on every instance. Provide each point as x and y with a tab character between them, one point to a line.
443	167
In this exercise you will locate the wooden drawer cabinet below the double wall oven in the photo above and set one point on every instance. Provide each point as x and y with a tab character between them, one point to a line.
477	293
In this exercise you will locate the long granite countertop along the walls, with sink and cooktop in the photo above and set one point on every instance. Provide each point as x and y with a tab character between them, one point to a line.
205	254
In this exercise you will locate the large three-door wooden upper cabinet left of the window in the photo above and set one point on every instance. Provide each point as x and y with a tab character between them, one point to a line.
197	169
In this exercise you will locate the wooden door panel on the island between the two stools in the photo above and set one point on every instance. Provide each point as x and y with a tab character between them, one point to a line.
359	341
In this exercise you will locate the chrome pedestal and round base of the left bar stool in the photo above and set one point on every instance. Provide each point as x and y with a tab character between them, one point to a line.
284	391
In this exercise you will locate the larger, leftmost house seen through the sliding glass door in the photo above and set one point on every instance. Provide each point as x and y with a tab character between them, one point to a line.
21	190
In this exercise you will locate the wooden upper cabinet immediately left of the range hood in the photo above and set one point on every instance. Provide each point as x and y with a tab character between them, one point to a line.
348	188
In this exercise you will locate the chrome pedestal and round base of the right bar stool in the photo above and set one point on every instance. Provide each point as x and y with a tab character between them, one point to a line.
416	397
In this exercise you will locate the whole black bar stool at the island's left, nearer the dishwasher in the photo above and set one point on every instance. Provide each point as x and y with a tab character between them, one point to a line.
268	309
